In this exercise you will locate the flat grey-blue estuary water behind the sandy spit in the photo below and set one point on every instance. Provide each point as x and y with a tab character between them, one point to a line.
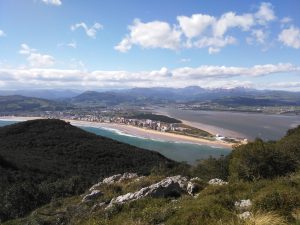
248	125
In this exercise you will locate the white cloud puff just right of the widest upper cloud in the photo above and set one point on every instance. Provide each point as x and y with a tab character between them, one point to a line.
195	25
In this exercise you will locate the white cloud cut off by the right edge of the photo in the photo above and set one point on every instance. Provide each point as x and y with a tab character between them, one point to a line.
290	37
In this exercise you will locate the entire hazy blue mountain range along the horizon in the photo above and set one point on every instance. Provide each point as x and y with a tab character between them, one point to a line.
59	100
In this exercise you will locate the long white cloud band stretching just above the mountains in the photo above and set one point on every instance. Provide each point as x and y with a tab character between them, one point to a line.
206	76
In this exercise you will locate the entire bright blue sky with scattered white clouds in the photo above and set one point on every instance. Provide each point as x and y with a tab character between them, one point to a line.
96	44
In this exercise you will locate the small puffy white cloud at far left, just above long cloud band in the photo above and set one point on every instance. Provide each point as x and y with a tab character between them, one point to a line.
34	58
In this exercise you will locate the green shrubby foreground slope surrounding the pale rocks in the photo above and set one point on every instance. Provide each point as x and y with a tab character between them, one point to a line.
267	173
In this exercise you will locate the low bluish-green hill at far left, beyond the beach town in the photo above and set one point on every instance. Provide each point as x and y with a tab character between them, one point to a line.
18	103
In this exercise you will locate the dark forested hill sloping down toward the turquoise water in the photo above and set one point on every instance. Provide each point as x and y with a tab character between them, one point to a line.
44	159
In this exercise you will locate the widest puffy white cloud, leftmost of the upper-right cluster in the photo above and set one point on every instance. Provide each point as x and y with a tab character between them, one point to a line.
155	34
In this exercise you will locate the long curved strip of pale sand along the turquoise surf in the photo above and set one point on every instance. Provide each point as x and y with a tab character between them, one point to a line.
138	132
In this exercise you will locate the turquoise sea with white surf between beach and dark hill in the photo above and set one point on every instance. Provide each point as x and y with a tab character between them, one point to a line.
189	153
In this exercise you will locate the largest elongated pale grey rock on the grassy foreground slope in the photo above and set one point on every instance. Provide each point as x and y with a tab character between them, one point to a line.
170	186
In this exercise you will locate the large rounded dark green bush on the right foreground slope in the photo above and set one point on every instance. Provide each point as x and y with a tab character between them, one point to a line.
259	160
